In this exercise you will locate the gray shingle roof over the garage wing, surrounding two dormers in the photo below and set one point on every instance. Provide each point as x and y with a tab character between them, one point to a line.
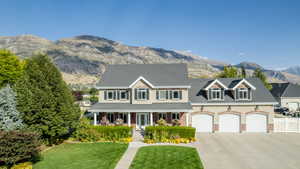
198	95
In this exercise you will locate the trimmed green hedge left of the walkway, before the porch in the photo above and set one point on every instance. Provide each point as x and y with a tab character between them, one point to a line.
104	133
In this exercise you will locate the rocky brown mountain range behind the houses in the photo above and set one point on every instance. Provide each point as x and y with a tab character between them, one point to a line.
82	59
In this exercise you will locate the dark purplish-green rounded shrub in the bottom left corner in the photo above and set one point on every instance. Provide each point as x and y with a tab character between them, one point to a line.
18	146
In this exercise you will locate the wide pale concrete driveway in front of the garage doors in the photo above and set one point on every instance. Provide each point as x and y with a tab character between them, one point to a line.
249	151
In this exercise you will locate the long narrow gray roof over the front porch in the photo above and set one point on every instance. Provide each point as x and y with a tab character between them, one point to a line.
127	107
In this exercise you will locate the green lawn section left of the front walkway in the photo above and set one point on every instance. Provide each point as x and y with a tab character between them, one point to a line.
82	156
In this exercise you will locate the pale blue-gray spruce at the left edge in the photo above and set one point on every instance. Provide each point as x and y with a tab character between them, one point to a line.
10	117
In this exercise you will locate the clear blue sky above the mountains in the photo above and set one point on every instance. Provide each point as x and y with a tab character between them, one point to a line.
263	31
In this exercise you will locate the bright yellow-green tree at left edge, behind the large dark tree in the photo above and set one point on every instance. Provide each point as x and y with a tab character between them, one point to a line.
10	68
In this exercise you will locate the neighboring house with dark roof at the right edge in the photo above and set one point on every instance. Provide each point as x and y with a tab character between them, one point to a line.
287	95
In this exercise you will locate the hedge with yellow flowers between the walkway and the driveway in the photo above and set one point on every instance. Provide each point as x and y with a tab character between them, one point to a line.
169	133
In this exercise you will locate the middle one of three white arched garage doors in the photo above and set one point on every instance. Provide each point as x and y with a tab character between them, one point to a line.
229	123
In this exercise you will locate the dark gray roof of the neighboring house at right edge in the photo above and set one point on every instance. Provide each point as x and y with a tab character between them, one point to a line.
285	90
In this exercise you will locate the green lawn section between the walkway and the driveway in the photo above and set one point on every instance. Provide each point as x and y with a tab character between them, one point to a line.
166	157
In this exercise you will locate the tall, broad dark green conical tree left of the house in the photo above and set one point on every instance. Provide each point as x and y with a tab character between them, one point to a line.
45	100
